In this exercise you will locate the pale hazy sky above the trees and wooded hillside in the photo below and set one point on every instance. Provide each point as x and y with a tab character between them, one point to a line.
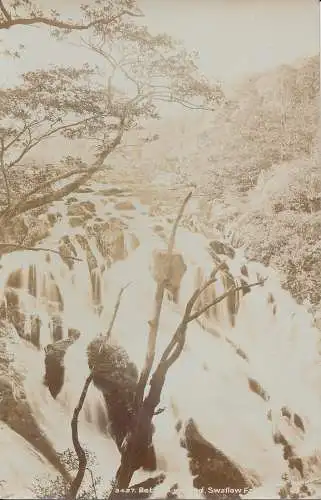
233	37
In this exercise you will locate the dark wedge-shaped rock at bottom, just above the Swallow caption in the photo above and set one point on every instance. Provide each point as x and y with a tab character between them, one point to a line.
210	466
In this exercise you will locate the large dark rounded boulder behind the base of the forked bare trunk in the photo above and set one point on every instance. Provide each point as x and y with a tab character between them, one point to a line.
117	377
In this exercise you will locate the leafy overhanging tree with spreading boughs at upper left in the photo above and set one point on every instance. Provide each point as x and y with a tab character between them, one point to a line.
141	71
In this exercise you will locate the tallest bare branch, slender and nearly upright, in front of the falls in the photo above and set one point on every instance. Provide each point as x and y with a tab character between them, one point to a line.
154	323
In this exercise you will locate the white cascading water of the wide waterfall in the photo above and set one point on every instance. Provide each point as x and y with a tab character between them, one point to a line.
208	383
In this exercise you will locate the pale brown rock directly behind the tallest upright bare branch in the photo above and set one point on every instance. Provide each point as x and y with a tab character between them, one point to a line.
177	271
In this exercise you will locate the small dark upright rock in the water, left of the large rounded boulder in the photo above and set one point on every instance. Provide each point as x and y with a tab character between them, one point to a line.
54	365
